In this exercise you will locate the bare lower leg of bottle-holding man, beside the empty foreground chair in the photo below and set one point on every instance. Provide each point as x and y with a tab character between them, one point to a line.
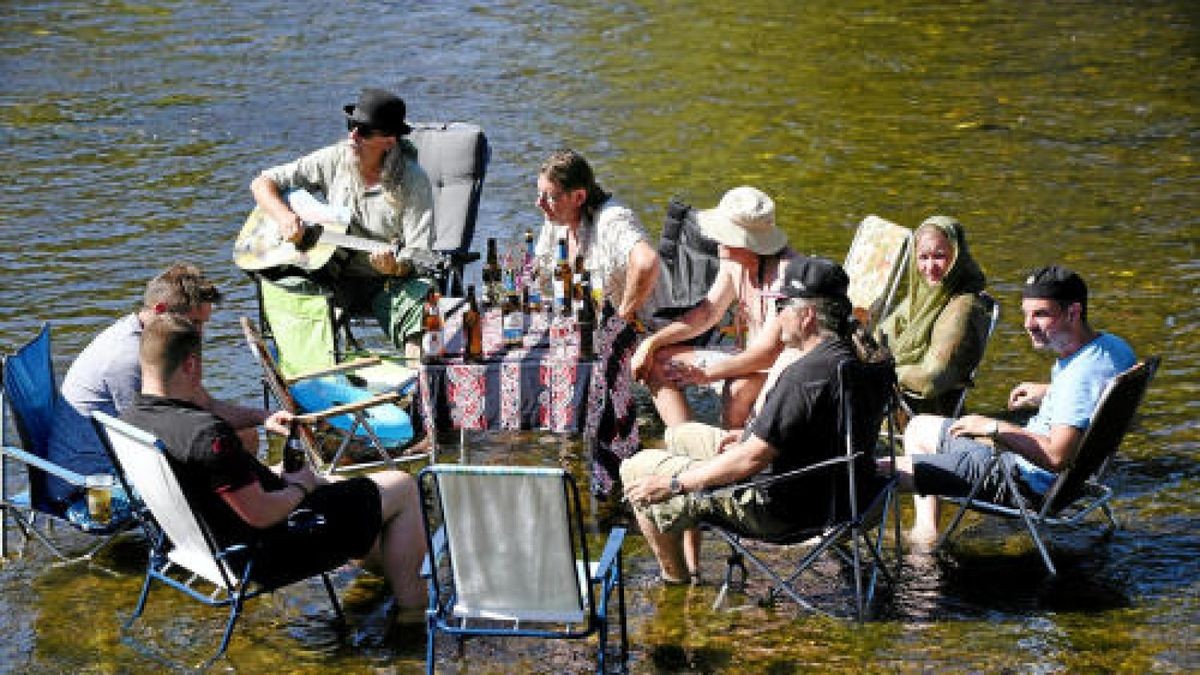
401	546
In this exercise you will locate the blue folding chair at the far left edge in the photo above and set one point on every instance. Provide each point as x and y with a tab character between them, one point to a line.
32	396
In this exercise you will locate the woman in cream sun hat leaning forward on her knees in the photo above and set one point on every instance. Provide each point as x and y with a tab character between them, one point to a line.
753	253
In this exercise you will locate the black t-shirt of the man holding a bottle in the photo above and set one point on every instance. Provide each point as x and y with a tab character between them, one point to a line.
208	458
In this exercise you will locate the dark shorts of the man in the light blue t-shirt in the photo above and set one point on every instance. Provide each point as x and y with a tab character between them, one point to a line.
958	464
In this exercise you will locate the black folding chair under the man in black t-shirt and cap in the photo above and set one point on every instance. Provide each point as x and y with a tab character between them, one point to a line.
857	541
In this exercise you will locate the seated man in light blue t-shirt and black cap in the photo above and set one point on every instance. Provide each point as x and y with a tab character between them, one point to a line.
945	457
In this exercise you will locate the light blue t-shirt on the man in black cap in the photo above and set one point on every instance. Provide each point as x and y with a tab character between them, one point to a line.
1076	386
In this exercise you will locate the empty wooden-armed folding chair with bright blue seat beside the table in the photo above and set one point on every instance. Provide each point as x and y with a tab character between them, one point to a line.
344	401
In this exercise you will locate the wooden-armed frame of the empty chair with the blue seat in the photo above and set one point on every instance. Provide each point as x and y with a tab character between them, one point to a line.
361	427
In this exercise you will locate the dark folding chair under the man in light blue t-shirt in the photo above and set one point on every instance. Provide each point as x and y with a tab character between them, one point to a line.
1079	489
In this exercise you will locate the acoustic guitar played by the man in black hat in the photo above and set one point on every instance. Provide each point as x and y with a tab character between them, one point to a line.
261	247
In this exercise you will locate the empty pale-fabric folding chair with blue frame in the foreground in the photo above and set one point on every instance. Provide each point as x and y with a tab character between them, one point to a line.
509	557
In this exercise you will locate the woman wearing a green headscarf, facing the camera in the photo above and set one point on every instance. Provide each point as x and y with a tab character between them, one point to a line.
938	333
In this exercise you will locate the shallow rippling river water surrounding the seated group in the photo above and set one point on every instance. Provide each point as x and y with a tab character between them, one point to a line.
1057	132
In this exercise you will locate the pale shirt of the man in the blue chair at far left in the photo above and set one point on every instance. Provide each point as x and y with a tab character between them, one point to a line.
106	377
